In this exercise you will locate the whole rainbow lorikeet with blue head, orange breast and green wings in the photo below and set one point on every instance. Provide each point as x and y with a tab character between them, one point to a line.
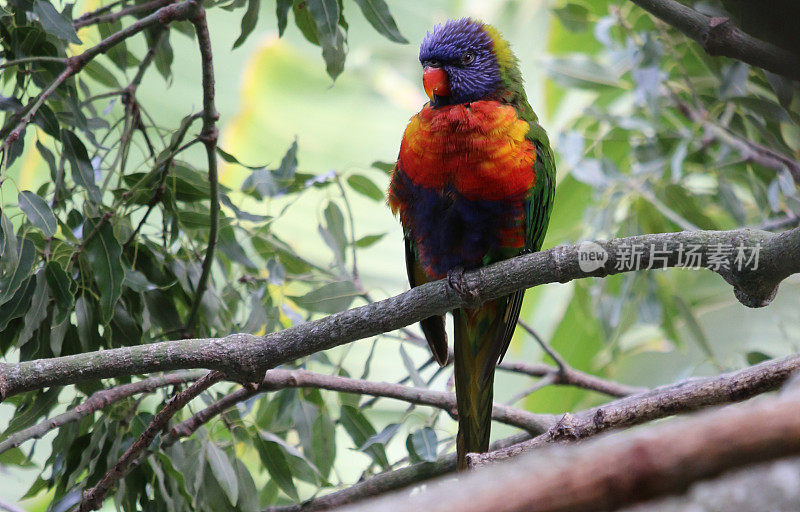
473	184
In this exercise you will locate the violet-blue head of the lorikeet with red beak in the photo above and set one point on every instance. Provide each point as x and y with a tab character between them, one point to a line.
463	61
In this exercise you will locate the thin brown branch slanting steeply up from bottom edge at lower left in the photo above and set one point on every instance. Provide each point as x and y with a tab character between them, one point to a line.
93	498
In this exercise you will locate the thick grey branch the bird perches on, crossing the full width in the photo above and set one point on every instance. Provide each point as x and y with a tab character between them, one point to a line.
245	358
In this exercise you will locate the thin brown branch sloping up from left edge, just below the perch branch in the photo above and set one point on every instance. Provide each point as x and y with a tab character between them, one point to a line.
98	400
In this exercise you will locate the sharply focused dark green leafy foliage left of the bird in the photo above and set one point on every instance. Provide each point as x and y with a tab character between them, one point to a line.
107	253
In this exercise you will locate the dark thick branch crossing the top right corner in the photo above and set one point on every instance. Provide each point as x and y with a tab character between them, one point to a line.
718	36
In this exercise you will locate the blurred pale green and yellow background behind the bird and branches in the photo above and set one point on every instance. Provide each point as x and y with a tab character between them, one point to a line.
629	163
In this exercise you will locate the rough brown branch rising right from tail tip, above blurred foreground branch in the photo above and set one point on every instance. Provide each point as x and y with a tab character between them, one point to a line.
685	396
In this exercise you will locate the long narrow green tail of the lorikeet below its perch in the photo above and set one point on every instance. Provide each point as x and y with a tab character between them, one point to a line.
475	359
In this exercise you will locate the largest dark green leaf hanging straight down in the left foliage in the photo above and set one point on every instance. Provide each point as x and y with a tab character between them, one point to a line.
104	252
